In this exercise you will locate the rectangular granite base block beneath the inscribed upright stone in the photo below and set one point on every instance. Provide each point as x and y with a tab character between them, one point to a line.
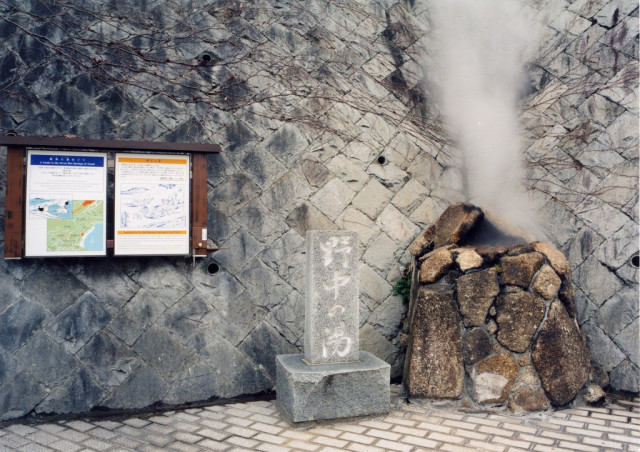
332	391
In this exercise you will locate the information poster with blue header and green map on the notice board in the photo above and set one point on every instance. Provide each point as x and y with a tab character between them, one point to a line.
65	204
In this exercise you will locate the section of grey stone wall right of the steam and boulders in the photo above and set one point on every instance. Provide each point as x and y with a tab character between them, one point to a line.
583	154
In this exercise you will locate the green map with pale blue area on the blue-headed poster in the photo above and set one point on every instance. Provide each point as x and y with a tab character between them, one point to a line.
82	231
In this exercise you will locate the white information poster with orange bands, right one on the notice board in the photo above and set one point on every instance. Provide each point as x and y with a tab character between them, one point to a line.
151	204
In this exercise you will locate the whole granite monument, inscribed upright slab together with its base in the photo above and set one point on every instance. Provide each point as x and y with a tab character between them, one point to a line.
333	378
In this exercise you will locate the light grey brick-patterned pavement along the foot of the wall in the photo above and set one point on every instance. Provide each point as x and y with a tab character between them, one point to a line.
418	426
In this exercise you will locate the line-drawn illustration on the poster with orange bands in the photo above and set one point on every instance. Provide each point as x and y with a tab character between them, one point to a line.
152	206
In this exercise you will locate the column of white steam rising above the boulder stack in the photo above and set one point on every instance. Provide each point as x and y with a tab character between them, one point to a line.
477	56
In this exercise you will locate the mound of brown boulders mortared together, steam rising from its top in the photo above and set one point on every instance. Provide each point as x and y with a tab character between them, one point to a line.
491	320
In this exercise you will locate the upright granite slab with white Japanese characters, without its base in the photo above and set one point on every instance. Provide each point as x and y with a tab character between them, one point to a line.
332	299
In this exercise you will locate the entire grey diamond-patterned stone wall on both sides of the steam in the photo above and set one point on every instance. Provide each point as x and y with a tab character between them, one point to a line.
304	97
